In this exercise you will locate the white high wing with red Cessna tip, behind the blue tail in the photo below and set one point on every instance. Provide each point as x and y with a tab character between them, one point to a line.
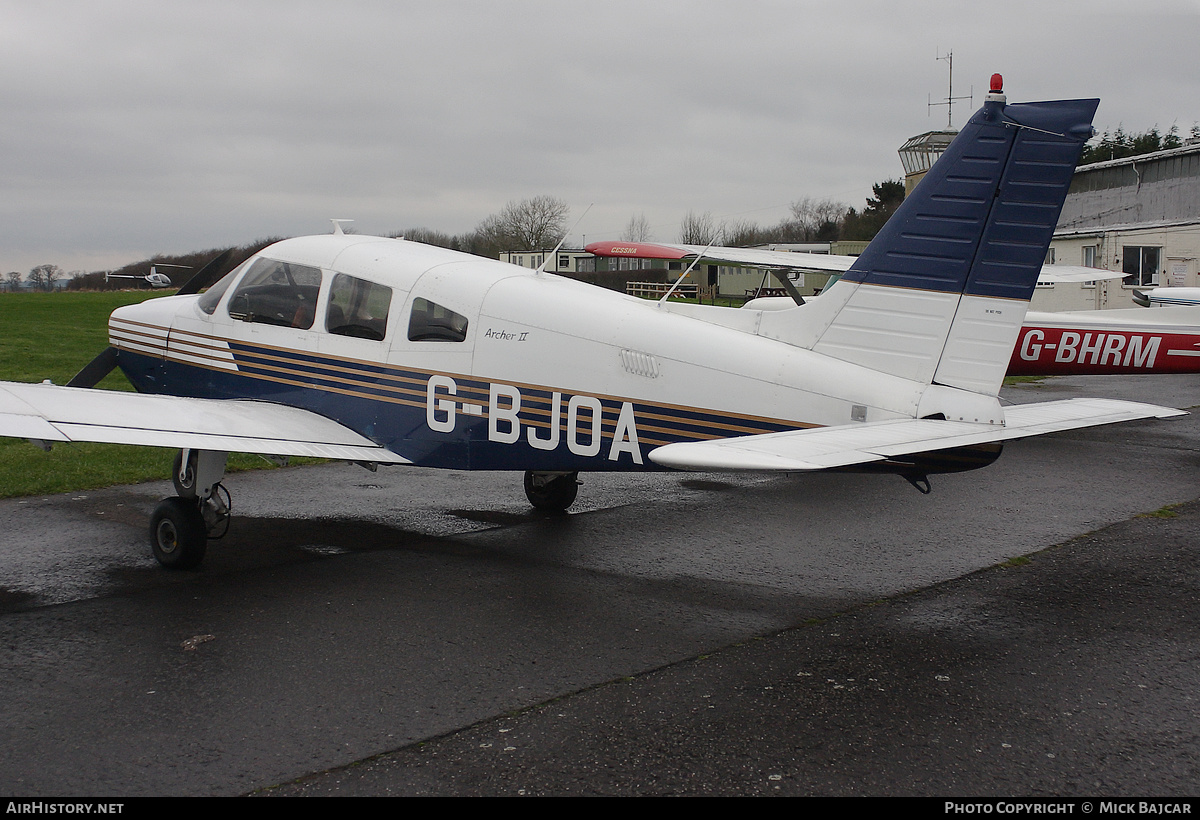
755	258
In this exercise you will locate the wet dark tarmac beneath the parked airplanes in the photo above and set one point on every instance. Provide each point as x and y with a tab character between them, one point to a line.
421	632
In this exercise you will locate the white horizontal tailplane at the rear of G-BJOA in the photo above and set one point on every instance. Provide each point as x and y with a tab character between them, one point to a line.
823	448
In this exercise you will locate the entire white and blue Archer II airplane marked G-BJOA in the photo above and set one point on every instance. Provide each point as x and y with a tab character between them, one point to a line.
389	352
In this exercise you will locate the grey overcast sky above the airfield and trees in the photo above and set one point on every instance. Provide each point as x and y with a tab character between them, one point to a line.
130	129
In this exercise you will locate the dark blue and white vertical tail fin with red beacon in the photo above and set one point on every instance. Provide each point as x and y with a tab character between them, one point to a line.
940	295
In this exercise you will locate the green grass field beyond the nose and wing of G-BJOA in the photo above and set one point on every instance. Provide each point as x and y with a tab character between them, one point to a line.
53	336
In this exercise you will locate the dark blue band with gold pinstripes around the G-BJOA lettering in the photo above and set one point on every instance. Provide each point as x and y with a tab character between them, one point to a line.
388	405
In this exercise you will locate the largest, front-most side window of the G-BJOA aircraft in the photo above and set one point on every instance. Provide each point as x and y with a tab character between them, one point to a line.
278	294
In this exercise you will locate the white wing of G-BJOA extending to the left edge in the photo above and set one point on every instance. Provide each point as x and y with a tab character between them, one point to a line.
53	414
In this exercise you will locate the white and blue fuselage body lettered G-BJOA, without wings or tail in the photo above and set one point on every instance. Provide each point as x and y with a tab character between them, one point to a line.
547	374
